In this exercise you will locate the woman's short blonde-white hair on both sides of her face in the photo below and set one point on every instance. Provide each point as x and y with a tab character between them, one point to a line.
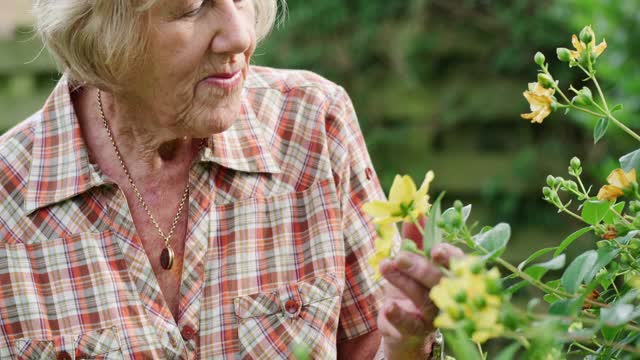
98	41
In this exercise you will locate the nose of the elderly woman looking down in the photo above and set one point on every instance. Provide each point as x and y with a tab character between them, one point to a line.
233	35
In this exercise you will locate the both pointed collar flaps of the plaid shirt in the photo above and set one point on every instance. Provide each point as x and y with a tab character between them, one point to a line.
60	168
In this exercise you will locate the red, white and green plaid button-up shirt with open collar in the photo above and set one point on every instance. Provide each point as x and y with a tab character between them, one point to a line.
276	250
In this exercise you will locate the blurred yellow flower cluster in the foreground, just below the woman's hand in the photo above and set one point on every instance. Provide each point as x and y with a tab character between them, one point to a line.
465	298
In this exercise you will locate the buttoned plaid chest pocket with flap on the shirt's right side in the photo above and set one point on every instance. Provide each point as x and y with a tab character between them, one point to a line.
296	318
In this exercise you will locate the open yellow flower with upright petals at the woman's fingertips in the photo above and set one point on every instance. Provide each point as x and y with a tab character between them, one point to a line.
405	202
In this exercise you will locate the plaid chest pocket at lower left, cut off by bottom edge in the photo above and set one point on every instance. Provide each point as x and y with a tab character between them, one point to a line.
99	344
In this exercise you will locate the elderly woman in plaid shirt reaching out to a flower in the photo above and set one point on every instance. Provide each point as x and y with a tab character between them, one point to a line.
172	201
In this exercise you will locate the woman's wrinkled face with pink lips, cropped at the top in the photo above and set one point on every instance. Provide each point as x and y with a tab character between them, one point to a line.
196	64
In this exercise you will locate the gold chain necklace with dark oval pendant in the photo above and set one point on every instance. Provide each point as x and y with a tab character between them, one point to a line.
167	254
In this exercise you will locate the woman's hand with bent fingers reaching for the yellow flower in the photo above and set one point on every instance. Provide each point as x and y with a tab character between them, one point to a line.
406	318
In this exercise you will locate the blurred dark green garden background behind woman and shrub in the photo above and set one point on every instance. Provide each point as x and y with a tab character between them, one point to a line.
437	85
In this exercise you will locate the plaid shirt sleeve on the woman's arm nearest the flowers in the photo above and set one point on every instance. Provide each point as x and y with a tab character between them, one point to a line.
357	184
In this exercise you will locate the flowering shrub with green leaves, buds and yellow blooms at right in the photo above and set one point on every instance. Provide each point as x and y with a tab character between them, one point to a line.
593	303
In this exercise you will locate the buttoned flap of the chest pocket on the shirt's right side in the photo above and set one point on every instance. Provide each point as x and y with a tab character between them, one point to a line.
304	293
